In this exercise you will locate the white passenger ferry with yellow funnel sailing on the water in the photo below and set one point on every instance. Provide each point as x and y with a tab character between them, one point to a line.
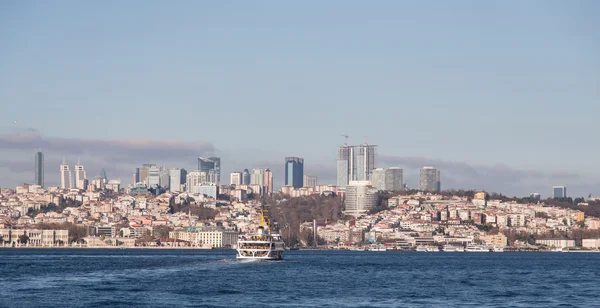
262	245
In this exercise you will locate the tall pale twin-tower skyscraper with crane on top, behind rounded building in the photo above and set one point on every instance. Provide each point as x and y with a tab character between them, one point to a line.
355	163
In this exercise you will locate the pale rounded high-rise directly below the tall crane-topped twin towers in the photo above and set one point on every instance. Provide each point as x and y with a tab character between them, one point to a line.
360	197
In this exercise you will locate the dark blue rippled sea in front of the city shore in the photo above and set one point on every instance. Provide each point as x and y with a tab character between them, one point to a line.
213	278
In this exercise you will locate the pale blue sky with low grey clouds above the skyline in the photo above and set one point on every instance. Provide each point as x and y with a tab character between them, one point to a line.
498	95
